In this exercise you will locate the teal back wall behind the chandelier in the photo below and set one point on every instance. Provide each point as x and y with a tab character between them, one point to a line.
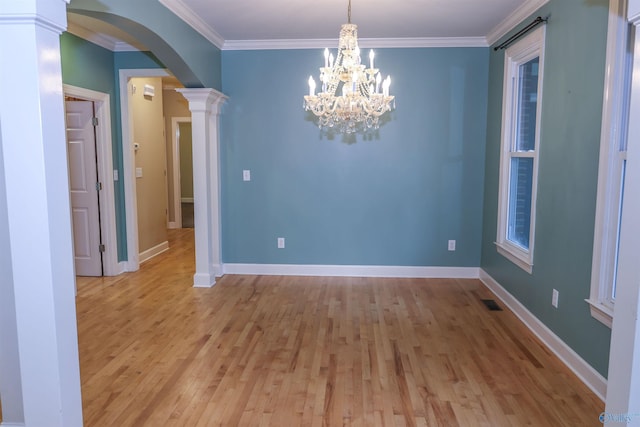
392	199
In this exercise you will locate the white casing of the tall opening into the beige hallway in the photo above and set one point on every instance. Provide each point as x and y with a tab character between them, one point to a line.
128	162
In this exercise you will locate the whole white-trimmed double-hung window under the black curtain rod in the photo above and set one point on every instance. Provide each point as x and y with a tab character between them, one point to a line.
522	100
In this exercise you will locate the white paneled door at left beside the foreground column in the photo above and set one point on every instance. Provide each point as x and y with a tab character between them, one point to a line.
84	186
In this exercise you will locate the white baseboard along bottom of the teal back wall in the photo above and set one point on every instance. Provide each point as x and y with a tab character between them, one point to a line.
352	271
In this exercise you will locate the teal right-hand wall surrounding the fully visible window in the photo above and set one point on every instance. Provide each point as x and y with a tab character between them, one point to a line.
568	170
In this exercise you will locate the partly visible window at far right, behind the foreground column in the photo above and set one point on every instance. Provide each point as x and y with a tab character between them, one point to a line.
612	167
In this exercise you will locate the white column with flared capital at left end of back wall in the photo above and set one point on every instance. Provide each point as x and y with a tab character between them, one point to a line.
205	107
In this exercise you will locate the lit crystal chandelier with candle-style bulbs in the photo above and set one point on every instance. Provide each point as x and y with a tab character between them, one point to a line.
352	97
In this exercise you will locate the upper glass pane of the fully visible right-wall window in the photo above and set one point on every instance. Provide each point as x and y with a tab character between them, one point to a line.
527	106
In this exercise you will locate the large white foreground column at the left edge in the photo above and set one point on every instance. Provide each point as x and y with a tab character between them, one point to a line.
40	381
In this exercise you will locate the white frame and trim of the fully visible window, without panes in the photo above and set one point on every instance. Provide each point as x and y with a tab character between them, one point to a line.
528	48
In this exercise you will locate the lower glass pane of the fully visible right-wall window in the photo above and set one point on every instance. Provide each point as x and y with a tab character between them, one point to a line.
520	188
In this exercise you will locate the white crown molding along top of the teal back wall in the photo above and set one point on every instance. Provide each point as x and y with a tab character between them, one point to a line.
415	42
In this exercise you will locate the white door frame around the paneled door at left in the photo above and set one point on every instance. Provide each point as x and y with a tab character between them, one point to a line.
104	149
